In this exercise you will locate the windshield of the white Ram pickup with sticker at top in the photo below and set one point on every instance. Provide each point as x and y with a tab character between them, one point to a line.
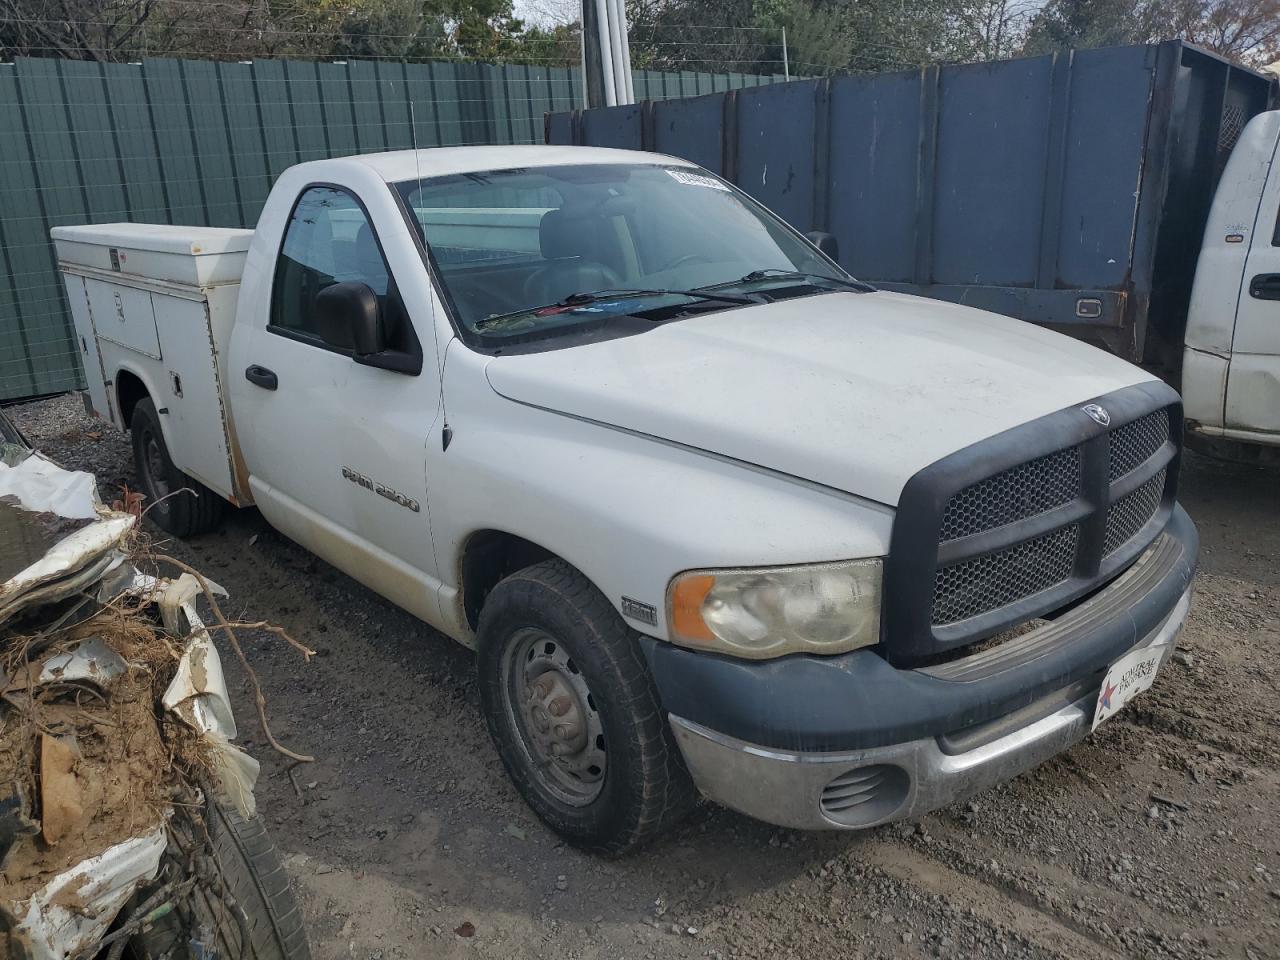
538	252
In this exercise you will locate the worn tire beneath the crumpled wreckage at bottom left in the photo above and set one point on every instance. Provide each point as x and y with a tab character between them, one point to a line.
249	870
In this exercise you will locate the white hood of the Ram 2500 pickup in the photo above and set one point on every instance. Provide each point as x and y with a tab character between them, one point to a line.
853	391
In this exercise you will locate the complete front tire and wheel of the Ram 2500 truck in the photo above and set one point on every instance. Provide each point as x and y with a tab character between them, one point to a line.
574	714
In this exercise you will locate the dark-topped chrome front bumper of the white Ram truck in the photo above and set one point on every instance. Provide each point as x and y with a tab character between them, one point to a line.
1008	710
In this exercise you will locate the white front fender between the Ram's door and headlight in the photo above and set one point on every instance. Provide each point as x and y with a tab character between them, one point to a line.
625	510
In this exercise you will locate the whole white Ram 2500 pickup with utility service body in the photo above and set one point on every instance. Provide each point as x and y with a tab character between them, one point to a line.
712	513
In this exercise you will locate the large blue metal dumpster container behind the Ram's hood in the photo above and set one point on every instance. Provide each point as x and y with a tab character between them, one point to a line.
1068	190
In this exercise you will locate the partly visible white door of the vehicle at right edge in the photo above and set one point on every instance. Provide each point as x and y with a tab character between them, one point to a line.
1254	377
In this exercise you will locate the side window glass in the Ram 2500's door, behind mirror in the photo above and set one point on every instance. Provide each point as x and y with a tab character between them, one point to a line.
328	241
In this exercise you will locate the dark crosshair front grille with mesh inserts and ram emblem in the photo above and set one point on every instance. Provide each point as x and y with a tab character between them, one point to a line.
1040	529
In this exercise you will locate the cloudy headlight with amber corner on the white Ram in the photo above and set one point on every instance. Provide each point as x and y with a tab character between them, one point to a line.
774	611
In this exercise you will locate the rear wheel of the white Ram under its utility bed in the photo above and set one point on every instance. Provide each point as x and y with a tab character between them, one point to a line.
196	510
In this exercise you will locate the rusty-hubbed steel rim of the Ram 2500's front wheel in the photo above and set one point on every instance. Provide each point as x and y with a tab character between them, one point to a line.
555	717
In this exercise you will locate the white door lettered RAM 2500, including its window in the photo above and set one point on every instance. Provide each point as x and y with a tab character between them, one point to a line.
337	447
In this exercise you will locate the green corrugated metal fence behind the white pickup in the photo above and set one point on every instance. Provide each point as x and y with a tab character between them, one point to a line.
200	143
